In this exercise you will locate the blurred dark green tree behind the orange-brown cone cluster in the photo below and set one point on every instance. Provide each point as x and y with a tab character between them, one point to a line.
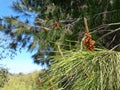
43	35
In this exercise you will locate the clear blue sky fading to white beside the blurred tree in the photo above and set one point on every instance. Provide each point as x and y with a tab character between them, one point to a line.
23	61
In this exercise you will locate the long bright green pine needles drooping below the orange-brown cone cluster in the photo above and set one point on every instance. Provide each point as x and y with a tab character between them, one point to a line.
98	70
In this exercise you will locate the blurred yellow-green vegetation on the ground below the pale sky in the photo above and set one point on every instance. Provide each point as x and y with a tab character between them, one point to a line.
22	82
